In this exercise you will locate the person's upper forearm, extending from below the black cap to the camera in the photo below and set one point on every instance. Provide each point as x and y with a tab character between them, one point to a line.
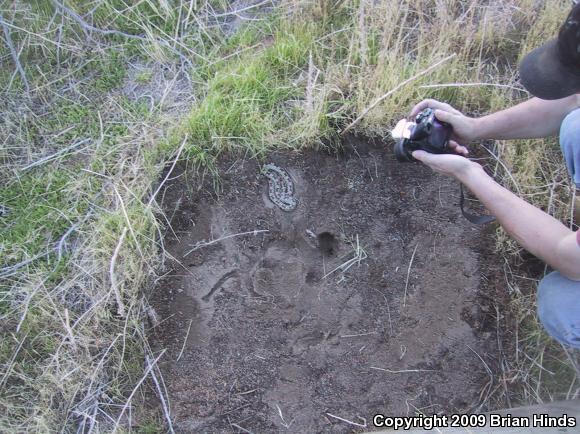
533	118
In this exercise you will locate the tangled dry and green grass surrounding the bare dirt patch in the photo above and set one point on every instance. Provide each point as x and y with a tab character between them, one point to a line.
83	150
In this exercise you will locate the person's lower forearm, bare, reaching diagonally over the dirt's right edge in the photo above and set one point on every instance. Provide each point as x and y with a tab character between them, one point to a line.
536	231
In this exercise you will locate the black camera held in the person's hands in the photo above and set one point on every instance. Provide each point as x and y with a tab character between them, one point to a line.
427	134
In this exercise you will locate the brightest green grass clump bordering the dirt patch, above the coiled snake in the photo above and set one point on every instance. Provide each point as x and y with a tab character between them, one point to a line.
243	106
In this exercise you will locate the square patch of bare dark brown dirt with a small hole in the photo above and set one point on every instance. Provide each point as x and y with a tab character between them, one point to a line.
262	334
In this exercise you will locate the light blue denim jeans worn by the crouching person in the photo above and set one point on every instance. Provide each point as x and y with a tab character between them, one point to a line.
559	297
